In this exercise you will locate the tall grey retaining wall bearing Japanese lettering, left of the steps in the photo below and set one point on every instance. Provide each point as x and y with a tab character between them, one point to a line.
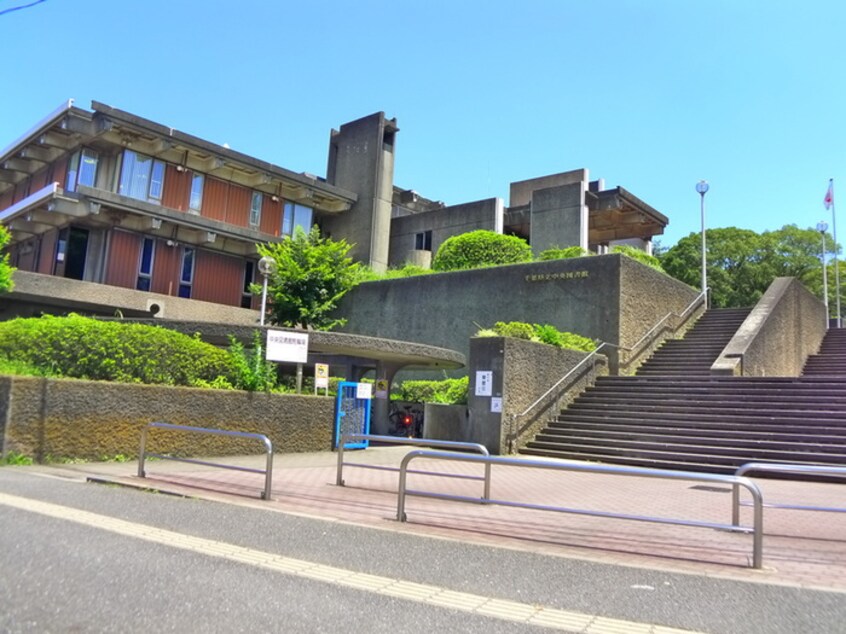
611	298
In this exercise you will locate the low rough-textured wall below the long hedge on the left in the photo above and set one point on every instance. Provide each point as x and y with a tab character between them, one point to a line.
87	419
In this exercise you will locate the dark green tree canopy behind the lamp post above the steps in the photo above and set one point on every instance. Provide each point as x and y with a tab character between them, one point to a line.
741	264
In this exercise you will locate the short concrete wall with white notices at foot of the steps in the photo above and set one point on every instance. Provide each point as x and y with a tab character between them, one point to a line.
521	372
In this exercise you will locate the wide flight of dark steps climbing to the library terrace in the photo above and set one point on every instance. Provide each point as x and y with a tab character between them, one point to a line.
672	414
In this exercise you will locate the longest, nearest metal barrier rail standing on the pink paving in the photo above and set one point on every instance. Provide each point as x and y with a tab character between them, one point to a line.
757	529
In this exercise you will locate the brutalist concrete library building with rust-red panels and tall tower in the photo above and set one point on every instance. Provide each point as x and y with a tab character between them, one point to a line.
104	197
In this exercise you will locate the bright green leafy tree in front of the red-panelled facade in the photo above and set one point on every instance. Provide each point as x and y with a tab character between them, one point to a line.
312	275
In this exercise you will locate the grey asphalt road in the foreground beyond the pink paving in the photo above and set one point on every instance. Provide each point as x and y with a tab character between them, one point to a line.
69	574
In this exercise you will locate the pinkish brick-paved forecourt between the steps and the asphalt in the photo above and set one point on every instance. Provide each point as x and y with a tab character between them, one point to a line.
801	548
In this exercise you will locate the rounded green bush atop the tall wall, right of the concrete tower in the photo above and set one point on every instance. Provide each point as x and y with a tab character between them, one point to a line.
480	248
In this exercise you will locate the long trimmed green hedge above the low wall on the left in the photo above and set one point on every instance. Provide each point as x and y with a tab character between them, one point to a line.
85	348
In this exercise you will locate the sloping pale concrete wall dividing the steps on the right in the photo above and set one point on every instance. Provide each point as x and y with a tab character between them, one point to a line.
785	327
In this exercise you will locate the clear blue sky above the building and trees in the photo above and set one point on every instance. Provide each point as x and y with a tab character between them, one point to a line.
652	95
